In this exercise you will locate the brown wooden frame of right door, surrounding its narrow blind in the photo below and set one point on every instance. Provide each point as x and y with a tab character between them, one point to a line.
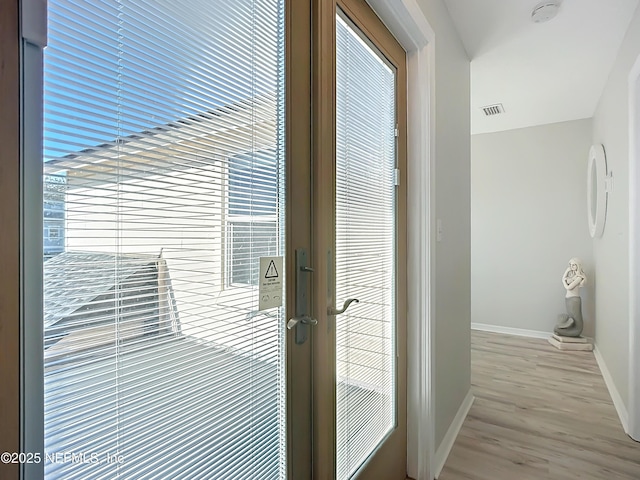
324	155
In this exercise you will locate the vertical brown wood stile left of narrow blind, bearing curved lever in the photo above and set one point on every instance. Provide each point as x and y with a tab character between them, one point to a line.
324	153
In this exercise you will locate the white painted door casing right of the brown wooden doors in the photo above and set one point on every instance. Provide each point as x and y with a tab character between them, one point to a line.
408	23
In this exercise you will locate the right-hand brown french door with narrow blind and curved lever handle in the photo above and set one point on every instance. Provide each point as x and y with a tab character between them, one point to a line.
359	233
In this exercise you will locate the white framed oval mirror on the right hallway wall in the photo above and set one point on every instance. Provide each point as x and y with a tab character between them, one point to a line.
597	190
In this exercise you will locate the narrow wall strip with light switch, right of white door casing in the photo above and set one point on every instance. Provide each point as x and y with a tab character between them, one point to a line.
452	205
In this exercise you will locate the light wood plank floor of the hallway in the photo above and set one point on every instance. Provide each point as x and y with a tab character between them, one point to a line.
539	413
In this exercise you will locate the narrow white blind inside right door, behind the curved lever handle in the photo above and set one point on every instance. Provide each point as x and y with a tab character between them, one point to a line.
365	249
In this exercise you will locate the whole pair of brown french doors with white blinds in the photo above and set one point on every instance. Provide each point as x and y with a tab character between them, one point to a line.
206	202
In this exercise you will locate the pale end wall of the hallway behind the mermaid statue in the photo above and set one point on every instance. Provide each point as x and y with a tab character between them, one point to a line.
529	217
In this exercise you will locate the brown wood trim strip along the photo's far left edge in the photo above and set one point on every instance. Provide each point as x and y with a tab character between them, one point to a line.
9	234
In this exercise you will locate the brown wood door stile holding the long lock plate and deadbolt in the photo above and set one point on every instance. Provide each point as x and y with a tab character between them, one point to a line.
298	230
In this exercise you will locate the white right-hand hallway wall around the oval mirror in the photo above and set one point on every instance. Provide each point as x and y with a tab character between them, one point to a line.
610	127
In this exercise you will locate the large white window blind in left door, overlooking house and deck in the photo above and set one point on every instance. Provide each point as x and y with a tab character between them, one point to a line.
163	185
